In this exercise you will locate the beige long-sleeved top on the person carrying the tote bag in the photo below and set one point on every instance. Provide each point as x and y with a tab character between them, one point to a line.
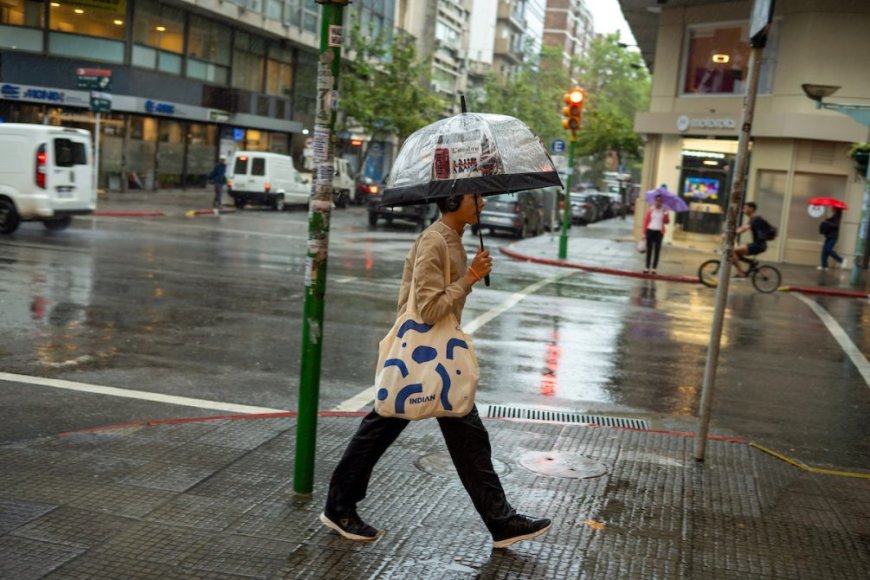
427	260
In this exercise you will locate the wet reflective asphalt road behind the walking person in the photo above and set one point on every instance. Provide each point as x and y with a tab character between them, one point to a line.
210	308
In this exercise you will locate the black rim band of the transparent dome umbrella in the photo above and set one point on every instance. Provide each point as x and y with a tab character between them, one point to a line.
484	185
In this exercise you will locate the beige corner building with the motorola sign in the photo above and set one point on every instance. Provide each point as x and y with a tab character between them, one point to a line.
699	54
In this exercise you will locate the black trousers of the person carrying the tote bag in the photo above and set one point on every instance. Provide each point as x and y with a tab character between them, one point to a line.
467	441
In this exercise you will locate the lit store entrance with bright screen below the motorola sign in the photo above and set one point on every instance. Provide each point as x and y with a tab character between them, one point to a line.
706	173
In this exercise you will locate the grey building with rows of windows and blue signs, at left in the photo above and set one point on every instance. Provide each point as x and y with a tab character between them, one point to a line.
190	80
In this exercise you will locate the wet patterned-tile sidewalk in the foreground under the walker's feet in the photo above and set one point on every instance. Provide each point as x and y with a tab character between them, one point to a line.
213	499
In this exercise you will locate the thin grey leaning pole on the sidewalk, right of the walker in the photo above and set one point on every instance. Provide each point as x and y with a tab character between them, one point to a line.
738	188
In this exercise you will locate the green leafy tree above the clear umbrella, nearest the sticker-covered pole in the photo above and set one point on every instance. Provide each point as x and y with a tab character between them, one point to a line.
384	86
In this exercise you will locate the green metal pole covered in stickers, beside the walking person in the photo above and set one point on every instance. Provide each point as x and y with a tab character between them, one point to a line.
319	209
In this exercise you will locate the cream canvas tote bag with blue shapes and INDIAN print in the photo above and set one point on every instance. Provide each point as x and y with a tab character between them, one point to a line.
425	370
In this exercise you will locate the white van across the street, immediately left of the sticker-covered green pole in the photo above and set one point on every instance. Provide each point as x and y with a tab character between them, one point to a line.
264	178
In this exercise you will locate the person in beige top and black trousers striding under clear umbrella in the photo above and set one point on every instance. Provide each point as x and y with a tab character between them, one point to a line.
467	439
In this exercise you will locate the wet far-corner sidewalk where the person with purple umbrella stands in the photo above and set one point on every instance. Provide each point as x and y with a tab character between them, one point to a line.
608	247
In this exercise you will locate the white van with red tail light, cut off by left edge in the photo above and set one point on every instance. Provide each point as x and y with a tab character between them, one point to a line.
45	175
